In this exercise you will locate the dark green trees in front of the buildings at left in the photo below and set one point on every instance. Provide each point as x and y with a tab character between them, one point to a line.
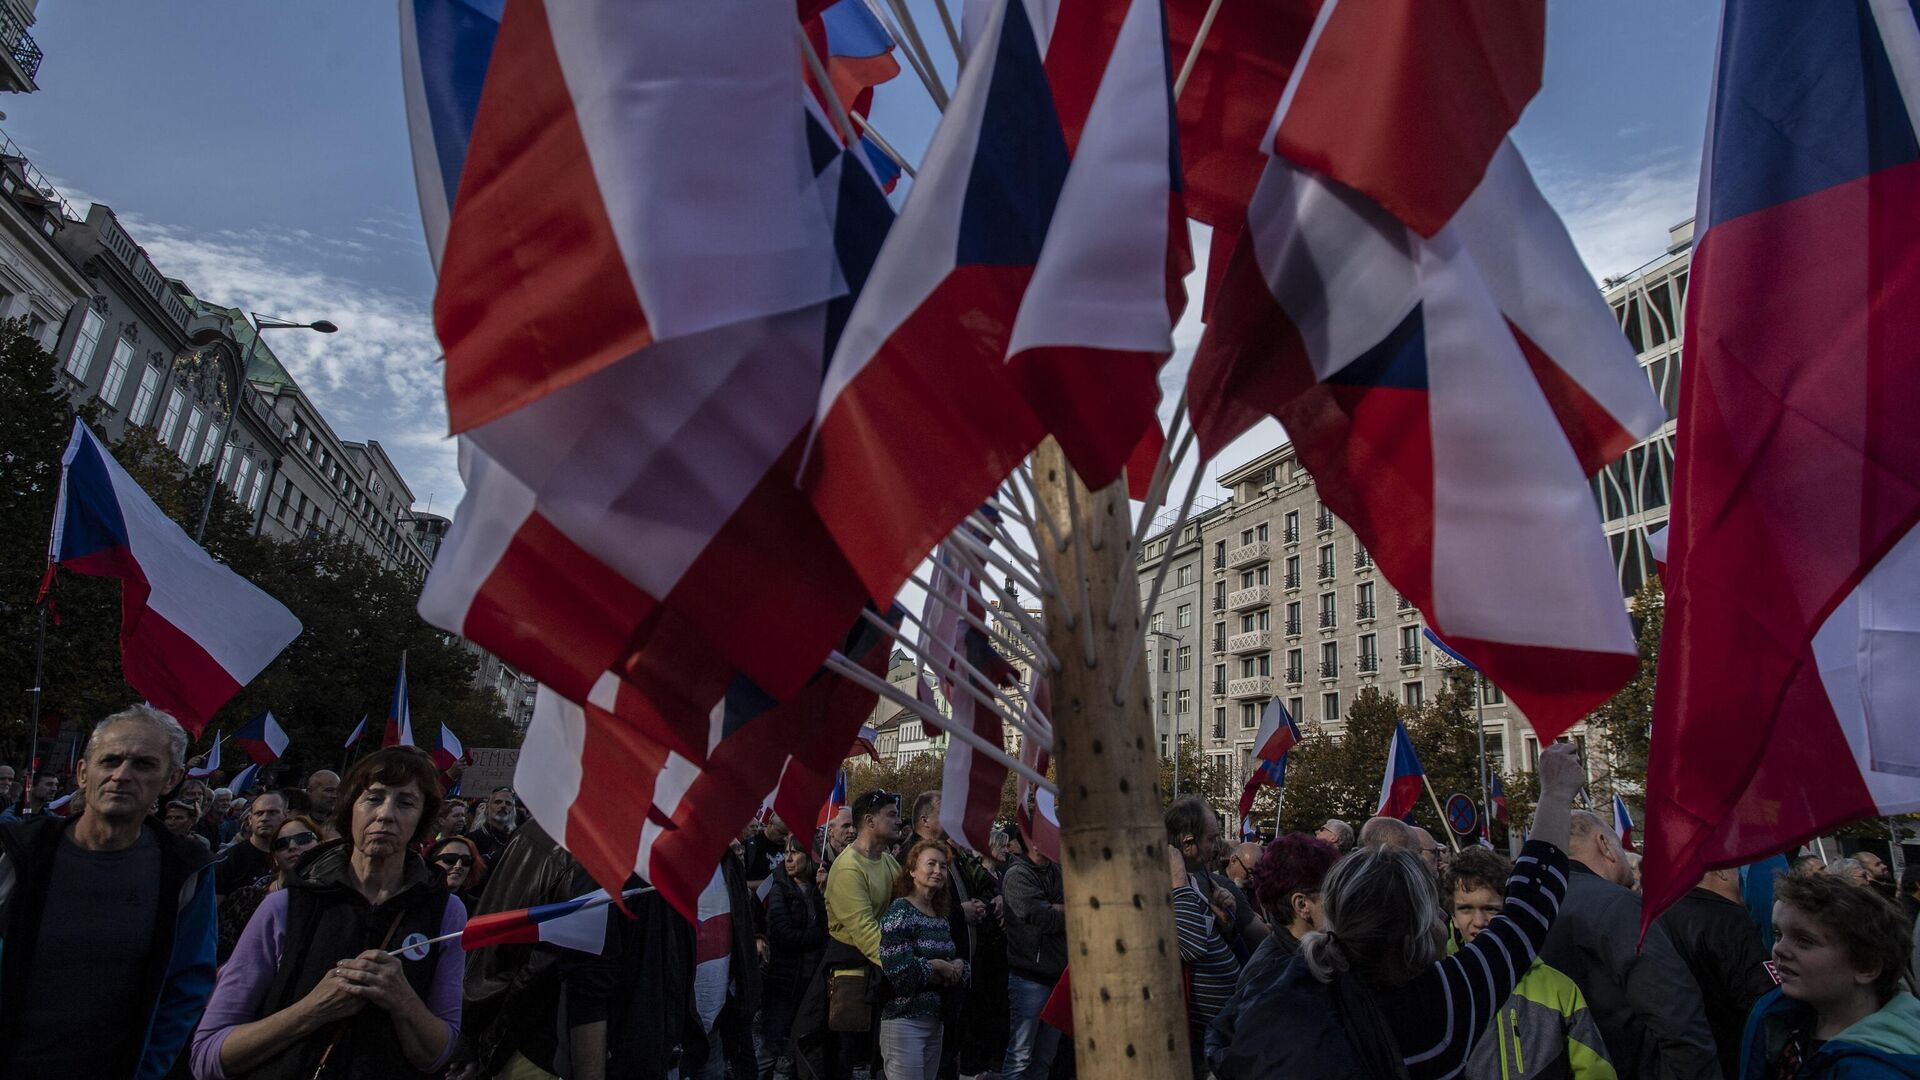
358	618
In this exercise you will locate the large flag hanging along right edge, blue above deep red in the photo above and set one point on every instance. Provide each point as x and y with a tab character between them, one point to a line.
1794	556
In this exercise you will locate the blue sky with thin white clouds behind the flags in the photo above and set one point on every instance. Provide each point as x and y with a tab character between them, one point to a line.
260	153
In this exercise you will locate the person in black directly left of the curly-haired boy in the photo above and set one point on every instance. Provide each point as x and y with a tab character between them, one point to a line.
1712	933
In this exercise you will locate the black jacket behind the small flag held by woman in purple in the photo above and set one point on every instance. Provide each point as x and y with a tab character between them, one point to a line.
514	993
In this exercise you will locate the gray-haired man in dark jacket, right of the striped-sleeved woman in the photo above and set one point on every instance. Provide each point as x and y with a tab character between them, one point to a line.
1644	1000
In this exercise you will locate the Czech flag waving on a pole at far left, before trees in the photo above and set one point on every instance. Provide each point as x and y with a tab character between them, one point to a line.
193	633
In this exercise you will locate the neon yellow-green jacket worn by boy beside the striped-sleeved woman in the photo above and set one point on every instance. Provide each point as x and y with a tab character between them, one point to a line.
1543	1031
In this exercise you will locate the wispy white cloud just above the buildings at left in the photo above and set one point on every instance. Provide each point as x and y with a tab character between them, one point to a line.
379	378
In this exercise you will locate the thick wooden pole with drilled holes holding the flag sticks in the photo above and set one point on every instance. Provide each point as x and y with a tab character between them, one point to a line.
1124	954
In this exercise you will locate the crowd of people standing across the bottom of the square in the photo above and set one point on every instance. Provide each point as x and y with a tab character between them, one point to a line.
308	933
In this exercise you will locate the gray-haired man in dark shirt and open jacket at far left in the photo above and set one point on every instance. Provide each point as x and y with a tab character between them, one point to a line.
110	893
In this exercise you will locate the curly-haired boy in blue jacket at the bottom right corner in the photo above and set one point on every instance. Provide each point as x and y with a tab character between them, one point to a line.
1838	1010
